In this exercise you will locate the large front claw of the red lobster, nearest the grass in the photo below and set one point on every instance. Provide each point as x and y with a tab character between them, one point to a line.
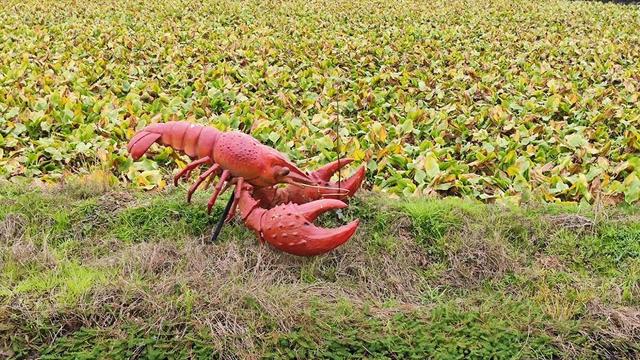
289	228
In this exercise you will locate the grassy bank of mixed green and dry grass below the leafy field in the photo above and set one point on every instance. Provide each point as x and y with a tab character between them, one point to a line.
422	278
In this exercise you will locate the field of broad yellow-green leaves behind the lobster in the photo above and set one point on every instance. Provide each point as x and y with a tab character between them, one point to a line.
497	100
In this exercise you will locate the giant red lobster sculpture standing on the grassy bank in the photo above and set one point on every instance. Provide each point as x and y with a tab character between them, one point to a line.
281	216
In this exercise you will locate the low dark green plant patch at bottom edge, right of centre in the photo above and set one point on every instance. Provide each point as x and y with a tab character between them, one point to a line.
443	332
